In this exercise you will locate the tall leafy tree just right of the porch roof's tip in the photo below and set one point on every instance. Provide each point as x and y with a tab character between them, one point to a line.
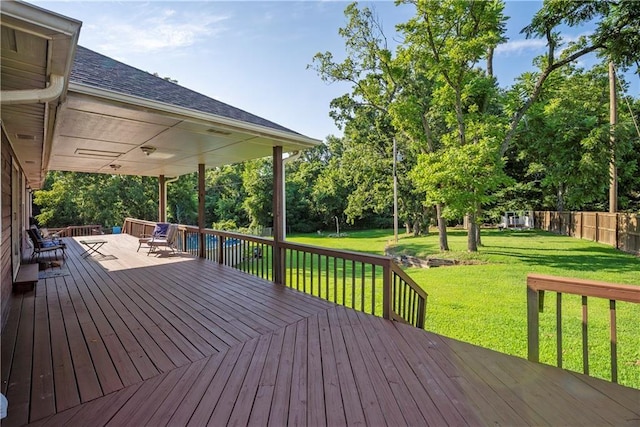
376	78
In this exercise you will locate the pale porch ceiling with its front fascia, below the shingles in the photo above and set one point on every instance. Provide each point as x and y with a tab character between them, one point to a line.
107	132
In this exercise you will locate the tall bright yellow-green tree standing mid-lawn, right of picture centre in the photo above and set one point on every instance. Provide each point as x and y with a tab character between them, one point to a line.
446	40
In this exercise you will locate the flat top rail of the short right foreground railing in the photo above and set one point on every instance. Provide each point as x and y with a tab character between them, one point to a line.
589	288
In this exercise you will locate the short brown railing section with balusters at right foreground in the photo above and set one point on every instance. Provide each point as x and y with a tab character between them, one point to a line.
538	284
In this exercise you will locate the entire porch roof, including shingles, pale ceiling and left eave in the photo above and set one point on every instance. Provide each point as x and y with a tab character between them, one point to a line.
109	117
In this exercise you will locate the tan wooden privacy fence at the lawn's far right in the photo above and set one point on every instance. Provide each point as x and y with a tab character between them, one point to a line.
620	230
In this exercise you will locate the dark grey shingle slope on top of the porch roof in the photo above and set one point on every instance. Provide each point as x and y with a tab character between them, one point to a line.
93	69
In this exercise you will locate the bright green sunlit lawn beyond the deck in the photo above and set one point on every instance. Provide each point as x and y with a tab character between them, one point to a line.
483	301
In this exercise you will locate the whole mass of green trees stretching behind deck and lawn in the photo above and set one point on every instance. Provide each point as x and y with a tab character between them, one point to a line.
467	146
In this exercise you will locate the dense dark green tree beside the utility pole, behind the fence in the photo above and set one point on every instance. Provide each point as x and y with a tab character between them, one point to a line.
565	143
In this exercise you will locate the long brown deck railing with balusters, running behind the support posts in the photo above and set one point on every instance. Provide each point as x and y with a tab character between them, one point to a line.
369	283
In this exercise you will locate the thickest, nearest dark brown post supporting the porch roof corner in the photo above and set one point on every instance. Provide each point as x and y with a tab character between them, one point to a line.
278	215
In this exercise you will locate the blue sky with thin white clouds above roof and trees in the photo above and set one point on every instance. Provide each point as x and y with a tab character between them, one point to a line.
254	54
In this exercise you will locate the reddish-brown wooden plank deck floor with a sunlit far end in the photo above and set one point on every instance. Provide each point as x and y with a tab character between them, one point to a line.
131	339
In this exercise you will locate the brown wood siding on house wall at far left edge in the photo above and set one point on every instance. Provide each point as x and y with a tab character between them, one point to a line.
5	244
